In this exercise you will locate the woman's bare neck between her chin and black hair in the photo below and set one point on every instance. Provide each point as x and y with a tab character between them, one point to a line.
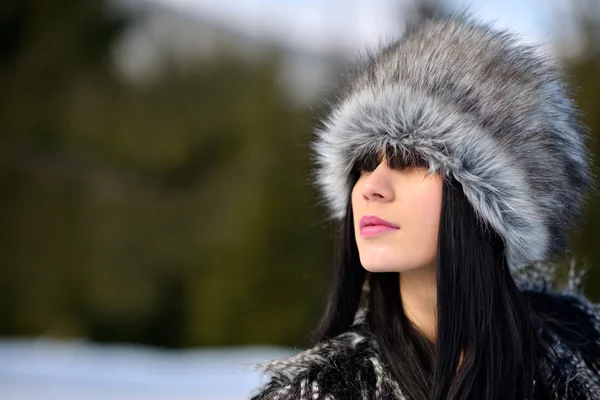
418	292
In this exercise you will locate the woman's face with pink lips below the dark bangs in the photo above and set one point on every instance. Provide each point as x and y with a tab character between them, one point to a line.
410	200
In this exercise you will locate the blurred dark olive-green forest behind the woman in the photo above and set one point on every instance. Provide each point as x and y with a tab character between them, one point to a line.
173	206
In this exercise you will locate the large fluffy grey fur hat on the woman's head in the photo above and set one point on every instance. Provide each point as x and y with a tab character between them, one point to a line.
476	105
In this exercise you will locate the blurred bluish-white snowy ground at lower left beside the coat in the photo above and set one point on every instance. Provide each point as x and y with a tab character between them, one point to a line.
52	370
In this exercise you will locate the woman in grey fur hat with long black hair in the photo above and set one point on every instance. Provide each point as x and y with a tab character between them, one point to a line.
454	161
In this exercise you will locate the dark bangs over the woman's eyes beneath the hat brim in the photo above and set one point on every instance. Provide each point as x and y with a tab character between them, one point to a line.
395	159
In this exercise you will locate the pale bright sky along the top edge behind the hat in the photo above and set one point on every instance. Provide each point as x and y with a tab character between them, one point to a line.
352	25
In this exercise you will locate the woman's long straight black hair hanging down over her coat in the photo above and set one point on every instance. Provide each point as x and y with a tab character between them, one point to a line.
481	314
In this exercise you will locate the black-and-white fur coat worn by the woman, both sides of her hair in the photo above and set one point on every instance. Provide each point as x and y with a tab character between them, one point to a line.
350	365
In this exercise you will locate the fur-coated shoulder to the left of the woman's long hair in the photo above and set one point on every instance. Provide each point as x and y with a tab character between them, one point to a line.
344	367
